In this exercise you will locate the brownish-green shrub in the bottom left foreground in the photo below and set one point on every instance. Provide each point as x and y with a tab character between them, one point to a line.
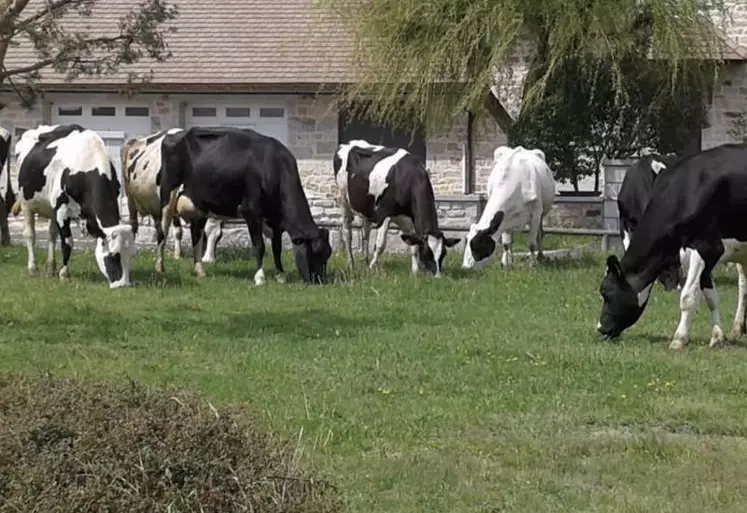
69	446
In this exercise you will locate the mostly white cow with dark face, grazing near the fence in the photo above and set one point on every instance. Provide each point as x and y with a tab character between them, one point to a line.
521	190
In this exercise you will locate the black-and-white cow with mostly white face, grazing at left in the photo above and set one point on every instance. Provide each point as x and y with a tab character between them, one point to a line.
65	174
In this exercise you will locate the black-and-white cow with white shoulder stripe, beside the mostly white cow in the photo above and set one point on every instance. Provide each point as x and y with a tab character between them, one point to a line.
384	185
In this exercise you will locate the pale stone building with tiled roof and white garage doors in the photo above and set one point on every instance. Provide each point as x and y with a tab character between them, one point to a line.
273	65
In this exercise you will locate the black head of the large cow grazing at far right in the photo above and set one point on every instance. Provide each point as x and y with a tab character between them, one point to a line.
621	308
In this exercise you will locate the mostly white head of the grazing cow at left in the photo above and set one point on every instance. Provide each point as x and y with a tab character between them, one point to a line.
113	253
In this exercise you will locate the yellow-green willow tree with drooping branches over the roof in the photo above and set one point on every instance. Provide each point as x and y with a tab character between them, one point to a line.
422	62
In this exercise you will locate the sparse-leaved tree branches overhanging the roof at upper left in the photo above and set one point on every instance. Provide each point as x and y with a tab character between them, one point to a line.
51	42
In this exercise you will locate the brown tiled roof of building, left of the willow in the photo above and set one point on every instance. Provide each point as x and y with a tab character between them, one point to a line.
224	42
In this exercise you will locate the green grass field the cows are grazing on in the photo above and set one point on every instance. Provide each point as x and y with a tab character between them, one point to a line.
484	392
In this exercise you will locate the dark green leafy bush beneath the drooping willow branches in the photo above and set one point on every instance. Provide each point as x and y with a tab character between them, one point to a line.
581	120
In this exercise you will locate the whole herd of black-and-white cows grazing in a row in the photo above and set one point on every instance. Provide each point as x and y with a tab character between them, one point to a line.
679	216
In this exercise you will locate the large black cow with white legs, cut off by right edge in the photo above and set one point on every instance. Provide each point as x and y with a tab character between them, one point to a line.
700	207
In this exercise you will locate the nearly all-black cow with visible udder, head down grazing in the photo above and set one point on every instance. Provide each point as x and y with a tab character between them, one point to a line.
228	172
